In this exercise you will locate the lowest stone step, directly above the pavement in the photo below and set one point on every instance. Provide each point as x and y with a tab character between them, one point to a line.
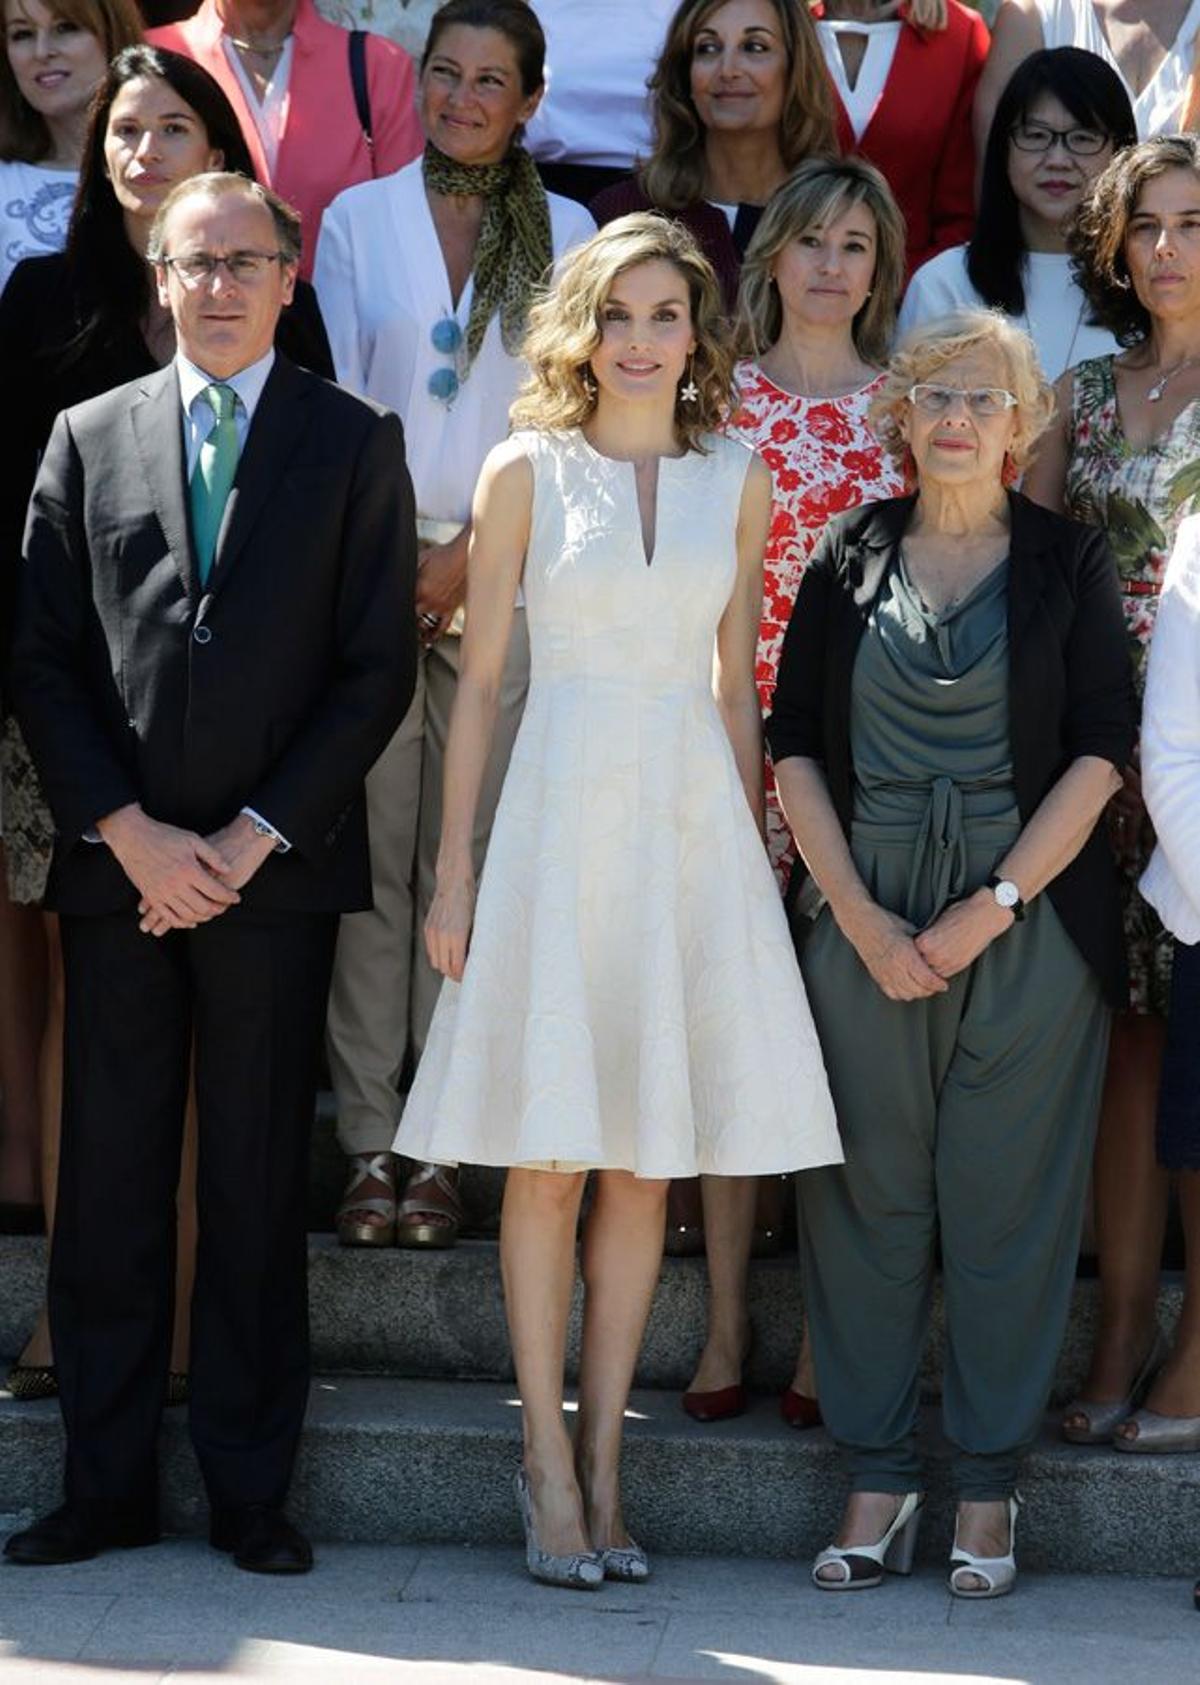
422	1462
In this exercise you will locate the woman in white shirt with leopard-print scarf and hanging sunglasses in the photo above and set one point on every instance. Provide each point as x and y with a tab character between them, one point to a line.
426	281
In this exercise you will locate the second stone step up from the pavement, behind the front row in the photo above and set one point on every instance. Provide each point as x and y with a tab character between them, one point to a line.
441	1315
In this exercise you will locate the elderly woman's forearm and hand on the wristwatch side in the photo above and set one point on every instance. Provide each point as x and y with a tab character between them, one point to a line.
1056	833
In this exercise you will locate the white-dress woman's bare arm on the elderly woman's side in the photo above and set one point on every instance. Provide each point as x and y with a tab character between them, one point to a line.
737	639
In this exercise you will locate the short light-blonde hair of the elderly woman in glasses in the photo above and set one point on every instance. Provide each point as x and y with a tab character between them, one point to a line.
924	353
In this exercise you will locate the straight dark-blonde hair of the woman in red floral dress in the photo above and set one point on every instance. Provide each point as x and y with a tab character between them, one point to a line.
818	195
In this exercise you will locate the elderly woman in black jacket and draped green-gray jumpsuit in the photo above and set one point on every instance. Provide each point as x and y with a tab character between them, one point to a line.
953	707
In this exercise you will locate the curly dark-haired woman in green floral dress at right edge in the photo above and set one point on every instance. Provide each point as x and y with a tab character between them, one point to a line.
1127	457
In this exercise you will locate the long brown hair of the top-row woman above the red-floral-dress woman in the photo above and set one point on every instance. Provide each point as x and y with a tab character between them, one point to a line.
675	173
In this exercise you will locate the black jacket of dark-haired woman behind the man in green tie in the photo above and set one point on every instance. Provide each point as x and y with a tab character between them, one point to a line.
41	314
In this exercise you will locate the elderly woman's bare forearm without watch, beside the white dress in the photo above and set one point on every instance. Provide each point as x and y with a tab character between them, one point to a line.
882	939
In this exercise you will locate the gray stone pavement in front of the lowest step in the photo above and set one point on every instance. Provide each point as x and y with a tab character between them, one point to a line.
471	1617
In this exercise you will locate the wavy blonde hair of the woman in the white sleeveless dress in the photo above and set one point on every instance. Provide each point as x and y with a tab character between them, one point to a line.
565	328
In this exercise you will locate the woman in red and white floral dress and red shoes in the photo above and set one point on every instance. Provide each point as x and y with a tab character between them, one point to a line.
818	302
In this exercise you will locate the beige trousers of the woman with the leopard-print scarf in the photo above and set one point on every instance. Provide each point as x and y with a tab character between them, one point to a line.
385	990
